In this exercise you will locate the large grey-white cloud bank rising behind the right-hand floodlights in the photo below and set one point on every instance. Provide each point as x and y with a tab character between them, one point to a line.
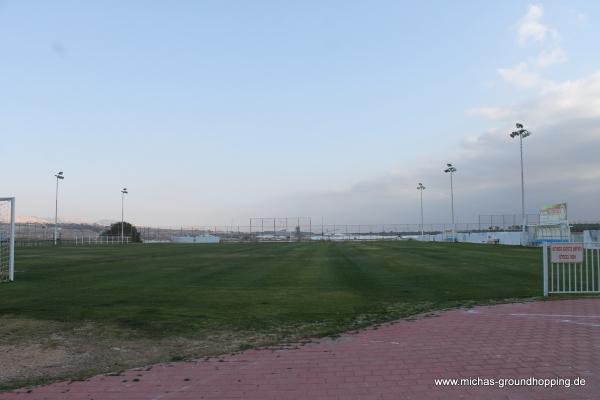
561	164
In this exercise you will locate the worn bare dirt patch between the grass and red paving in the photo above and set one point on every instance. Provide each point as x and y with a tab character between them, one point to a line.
34	352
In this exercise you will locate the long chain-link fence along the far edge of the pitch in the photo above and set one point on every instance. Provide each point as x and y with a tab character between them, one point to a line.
274	229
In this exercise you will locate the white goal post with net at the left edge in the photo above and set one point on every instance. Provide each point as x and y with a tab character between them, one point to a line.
7	239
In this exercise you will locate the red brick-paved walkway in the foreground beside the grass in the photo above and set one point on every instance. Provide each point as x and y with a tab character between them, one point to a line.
398	361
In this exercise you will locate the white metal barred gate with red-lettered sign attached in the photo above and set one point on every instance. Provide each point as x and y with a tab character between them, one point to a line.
571	268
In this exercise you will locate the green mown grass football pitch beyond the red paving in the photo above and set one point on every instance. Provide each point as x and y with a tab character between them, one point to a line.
243	295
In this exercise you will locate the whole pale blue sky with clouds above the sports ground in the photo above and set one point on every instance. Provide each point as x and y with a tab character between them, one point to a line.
211	112
